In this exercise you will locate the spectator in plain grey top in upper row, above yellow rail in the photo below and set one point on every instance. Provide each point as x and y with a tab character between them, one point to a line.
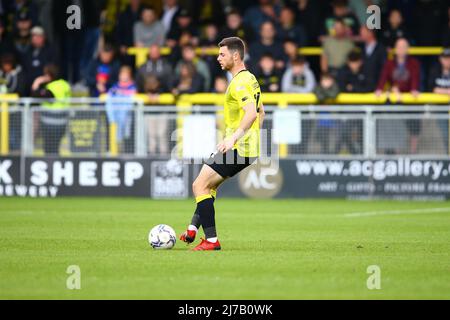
148	31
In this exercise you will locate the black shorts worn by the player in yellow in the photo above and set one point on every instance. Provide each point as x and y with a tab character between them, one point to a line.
228	164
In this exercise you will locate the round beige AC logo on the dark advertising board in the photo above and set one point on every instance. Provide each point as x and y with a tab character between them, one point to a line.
261	181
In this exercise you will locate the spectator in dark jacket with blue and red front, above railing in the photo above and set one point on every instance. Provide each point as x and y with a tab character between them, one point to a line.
102	72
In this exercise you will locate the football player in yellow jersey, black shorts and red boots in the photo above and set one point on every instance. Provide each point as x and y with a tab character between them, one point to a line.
243	115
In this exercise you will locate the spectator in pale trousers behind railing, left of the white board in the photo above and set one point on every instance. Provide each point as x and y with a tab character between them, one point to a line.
157	123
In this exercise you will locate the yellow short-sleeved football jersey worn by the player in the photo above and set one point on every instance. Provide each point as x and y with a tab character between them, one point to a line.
243	89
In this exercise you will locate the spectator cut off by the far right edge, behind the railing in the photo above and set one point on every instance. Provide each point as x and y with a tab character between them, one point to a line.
439	82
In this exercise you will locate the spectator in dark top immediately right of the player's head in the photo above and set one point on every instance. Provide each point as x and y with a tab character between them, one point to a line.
268	44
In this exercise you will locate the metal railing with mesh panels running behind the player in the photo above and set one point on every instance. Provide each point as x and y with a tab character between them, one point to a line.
93	128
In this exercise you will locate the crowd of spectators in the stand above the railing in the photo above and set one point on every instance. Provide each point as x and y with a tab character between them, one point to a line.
33	34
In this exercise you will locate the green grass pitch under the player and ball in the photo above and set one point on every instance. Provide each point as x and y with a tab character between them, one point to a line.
272	249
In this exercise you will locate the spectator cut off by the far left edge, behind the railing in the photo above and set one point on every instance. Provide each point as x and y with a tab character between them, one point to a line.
12	80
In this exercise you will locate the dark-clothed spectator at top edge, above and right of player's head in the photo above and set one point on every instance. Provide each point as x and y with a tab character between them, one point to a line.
265	11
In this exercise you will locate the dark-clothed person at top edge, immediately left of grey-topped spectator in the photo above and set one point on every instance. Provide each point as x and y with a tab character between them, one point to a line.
125	28
